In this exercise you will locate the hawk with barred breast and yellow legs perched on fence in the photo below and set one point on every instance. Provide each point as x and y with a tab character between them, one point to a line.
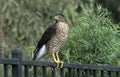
52	39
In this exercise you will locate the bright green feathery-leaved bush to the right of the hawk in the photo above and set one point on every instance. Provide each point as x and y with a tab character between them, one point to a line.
94	40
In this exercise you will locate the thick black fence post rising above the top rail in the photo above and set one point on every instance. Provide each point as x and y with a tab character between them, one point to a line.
17	68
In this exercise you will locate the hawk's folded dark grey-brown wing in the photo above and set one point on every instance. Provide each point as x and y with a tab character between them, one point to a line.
47	35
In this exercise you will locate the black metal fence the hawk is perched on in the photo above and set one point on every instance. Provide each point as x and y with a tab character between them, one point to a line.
20	68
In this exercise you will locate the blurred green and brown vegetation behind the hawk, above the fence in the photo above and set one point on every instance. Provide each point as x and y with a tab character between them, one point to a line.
94	28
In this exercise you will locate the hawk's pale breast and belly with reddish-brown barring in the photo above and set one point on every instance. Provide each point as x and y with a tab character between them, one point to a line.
60	37
